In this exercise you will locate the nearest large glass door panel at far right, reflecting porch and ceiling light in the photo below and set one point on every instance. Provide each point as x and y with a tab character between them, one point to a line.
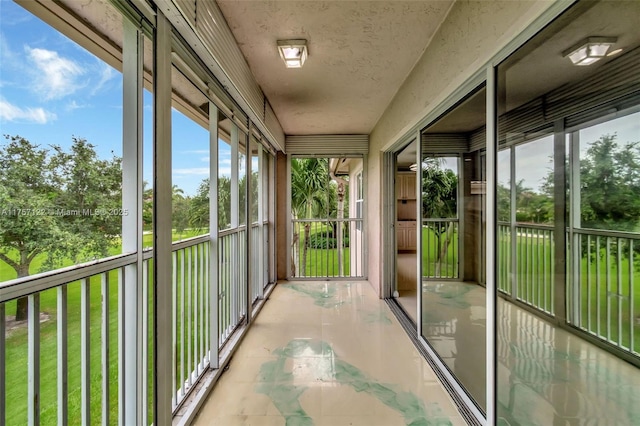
568	228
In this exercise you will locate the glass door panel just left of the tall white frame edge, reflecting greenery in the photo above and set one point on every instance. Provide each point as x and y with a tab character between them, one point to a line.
453	313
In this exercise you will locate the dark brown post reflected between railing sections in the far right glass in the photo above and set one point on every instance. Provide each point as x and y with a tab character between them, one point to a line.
559	230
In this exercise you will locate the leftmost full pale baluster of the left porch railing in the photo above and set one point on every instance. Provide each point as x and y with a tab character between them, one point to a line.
33	403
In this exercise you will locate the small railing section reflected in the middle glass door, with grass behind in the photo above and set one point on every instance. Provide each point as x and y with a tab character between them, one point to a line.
440	253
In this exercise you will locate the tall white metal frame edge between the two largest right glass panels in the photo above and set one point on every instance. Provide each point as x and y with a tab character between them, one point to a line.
490	252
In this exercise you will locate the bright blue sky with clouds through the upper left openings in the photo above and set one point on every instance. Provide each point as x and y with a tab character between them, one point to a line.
52	89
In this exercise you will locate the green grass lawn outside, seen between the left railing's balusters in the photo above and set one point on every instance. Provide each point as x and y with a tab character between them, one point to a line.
17	349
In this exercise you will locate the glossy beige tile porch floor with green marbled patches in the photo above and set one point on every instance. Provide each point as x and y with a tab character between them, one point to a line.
328	354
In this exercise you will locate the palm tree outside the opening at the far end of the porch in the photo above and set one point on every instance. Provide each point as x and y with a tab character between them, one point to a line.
308	198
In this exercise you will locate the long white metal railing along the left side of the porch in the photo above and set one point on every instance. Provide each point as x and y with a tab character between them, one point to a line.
65	363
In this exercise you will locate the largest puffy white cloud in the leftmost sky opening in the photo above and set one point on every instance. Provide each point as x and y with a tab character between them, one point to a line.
57	76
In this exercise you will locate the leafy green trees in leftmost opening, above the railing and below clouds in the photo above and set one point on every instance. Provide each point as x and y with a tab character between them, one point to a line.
63	205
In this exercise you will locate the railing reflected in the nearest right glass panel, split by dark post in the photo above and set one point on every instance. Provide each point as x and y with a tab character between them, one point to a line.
602	272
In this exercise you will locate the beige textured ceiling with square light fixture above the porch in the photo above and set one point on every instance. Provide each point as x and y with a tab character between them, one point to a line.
360	52
